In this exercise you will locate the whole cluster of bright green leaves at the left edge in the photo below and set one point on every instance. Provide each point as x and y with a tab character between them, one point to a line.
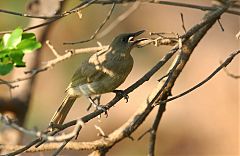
13	47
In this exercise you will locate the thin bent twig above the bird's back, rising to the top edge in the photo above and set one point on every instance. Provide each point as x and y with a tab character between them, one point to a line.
98	29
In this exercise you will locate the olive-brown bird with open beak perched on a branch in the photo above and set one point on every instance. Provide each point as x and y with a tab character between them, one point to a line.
103	72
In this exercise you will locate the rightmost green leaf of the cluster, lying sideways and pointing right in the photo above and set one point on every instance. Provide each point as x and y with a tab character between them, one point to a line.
28	46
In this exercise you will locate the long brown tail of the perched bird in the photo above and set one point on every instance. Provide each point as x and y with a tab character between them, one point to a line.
61	113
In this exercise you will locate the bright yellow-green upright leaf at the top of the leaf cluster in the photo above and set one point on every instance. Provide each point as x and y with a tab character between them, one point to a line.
14	39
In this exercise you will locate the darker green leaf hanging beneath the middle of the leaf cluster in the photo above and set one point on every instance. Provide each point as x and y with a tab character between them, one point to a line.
17	56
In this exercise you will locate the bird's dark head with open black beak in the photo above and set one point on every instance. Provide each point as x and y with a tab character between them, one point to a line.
125	42
